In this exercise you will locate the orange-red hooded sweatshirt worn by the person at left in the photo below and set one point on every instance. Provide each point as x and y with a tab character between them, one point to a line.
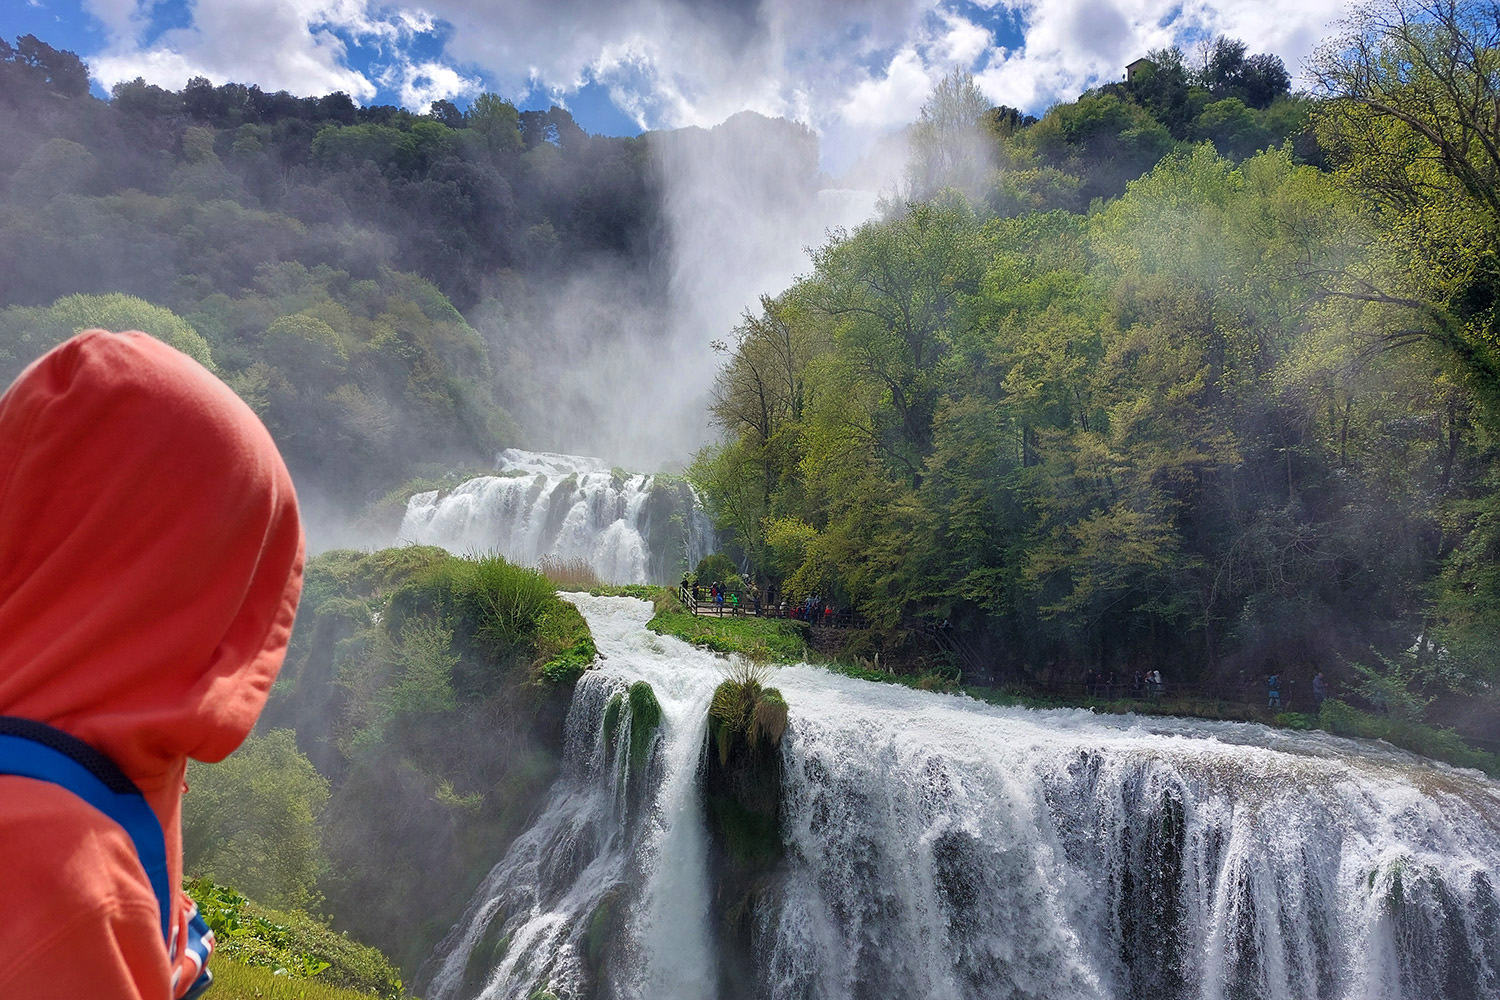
151	563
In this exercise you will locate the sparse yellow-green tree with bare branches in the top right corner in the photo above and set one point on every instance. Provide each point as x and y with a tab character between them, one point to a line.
1412	116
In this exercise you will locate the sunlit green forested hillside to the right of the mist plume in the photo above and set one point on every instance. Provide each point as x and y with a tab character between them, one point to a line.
1232	418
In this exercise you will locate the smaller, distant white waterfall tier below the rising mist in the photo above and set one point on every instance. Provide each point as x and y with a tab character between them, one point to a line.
628	528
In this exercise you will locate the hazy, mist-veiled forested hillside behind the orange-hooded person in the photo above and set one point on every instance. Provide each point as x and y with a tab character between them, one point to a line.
319	256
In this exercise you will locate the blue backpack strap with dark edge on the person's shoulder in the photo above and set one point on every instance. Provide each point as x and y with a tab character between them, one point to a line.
34	750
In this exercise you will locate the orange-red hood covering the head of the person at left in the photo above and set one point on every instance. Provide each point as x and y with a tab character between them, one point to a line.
151	555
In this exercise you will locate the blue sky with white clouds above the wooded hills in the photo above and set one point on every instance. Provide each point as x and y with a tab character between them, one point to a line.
853	70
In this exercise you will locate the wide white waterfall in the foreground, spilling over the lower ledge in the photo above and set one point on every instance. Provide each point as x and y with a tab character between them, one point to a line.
944	849
